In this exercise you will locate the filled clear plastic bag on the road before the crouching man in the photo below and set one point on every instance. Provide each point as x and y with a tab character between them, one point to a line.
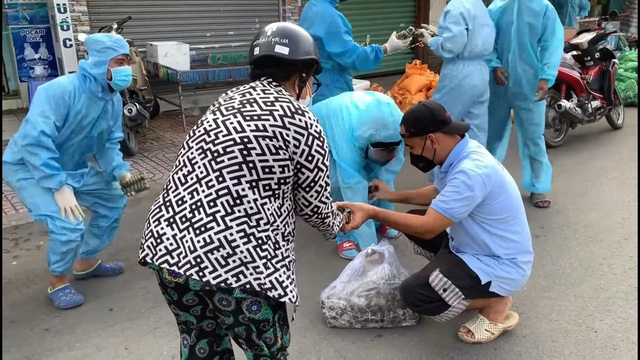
366	295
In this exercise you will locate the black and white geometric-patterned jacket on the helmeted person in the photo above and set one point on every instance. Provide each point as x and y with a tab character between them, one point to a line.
227	212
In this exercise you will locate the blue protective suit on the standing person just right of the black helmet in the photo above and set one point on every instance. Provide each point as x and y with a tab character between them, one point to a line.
339	53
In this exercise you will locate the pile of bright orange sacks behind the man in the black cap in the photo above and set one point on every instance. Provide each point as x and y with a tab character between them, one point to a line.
417	84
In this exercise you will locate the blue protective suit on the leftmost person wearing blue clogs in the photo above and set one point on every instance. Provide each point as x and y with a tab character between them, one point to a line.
70	118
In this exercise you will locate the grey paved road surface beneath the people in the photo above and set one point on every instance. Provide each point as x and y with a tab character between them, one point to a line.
581	301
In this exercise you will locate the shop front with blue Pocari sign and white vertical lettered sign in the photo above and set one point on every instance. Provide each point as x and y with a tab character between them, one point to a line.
34	50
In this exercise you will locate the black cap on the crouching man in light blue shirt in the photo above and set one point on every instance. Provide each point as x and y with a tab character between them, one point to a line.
428	117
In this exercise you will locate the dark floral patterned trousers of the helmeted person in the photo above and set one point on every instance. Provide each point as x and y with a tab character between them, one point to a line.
210	317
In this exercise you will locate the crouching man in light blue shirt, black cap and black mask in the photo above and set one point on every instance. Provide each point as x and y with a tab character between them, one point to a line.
486	255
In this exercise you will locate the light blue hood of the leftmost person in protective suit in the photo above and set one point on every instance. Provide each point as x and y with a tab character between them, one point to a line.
101	48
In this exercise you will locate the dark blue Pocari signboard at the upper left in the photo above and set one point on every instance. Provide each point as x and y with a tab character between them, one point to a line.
32	40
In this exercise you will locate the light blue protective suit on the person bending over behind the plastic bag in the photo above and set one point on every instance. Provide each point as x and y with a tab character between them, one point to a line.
351	121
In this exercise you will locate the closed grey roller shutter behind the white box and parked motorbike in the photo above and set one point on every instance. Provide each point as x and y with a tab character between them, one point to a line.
218	32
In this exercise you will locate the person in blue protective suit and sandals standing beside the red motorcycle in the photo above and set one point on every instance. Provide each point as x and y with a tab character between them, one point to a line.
528	49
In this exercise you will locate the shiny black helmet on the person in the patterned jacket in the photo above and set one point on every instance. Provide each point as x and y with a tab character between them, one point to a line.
284	41
